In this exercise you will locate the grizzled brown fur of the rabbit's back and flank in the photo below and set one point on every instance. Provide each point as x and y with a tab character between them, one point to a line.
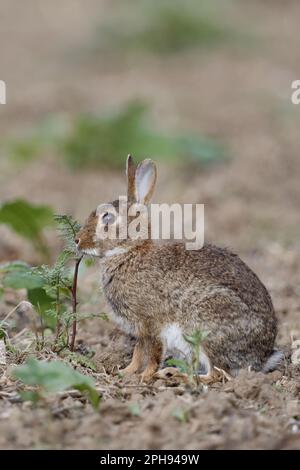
211	289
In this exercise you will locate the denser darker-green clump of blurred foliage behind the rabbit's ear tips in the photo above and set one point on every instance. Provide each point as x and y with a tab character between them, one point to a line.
104	140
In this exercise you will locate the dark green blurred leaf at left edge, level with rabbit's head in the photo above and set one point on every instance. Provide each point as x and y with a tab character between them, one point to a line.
28	220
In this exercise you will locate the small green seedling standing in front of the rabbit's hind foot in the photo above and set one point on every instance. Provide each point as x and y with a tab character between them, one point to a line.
192	367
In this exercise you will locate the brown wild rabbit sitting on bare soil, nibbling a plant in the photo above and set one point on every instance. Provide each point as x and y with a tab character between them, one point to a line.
160	292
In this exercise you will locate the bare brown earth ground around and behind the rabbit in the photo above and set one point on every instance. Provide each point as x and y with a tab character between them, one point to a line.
252	206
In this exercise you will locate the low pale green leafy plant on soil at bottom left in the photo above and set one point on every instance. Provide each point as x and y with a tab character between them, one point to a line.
54	376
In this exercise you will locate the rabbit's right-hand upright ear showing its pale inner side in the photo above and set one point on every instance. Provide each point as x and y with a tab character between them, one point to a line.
145	179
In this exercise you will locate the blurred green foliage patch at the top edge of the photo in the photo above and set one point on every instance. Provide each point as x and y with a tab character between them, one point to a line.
164	27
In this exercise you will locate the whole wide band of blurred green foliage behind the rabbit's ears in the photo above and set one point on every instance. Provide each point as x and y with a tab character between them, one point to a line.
92	140
